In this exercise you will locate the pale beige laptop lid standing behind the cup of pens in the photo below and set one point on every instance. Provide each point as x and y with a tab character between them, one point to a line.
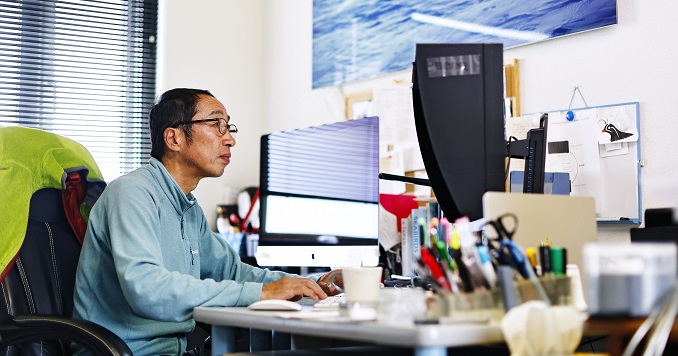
567	221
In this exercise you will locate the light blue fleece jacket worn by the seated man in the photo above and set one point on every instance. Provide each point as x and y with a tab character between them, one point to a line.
149	257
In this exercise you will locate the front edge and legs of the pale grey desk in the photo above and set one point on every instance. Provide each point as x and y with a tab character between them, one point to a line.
425	339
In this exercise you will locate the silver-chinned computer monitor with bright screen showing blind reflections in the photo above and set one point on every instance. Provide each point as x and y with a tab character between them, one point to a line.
319	195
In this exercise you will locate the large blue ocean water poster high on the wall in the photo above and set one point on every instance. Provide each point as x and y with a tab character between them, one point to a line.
361	39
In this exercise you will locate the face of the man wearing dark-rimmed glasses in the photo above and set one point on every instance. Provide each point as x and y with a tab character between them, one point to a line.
209	152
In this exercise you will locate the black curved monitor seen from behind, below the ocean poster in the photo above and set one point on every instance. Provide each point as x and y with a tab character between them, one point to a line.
458	96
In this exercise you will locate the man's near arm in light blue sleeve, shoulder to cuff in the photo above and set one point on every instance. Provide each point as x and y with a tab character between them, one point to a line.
152	266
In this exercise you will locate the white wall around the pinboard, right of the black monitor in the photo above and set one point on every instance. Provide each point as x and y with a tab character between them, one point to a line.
632	61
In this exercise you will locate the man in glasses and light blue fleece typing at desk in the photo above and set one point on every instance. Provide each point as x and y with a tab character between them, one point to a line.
149	256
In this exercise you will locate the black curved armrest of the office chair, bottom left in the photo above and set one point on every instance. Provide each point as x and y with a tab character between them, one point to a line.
95	338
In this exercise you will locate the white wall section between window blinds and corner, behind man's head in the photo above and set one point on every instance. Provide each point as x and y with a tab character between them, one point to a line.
218	45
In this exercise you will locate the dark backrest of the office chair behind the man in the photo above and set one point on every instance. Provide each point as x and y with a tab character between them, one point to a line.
43	276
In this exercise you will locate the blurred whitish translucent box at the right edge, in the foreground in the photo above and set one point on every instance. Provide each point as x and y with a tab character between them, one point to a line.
628	279
